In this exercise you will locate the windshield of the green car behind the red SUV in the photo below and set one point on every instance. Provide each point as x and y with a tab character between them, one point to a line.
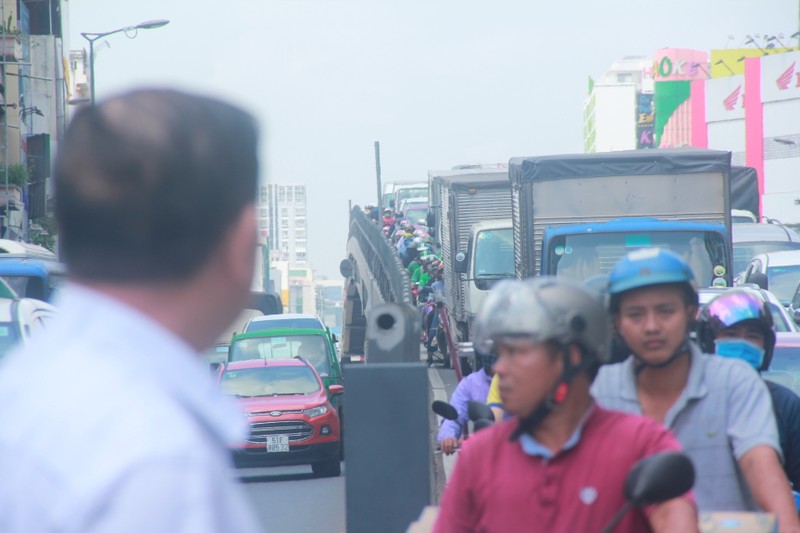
313	348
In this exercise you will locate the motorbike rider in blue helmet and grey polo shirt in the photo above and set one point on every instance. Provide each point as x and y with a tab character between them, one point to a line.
718	408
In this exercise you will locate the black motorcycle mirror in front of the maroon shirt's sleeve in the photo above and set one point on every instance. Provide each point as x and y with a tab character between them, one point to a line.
655	479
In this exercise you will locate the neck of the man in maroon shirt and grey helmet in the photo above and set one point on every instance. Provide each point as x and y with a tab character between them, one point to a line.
555	430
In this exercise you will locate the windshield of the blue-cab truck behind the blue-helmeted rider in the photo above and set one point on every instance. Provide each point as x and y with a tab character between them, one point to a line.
586	255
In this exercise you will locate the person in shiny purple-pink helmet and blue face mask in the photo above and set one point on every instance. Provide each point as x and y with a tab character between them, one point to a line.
738	324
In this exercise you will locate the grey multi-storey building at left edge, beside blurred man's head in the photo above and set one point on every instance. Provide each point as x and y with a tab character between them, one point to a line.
33	103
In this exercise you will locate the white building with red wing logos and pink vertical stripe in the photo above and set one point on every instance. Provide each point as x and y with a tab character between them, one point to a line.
752	109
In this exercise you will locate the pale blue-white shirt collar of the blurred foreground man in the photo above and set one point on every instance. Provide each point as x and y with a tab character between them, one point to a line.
153	353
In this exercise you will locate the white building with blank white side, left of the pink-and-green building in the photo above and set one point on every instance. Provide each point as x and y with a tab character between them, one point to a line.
615	108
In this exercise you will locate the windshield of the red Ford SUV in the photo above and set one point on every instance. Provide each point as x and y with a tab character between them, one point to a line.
269	381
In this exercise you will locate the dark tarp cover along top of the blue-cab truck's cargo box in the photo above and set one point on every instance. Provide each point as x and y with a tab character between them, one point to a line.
625	163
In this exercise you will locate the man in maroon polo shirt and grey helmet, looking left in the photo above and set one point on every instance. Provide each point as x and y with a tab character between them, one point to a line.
559	464
